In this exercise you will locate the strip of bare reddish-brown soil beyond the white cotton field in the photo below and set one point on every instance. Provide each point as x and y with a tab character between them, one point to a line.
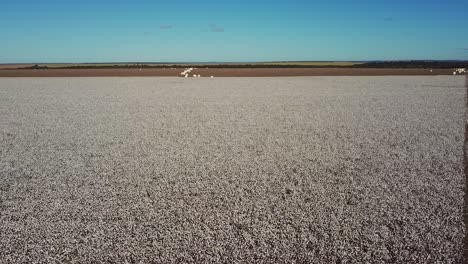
220	72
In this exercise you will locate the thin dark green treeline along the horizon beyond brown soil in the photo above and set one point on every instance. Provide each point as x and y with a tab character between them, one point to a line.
370	64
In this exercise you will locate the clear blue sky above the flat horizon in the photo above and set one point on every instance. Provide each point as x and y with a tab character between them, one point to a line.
196	31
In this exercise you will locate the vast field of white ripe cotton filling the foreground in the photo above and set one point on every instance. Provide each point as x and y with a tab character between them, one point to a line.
232	170
